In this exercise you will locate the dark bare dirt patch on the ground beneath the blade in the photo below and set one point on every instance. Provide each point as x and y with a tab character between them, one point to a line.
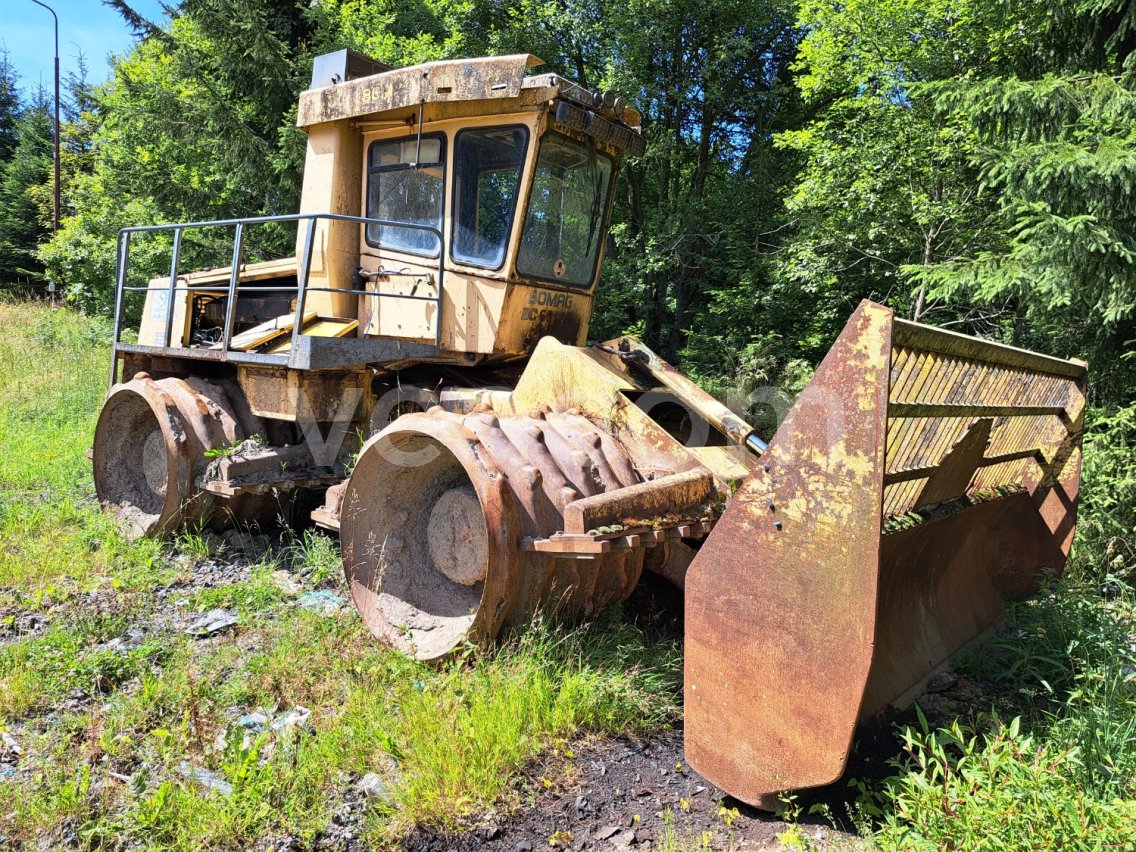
628	793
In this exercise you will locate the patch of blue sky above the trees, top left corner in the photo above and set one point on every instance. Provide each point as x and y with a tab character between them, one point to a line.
86	27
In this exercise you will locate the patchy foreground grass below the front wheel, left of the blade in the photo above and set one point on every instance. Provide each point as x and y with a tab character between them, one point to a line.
446	742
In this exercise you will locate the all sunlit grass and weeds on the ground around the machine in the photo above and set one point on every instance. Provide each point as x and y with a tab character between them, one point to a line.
113	739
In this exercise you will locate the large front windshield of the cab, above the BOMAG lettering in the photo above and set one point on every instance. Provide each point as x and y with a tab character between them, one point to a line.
564	224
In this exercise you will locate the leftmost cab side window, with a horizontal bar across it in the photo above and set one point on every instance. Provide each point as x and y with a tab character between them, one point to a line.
399	191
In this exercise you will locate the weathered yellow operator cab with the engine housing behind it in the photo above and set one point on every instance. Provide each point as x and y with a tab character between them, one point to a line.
452	212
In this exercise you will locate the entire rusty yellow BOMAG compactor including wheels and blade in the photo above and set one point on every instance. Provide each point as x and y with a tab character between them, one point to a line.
417	372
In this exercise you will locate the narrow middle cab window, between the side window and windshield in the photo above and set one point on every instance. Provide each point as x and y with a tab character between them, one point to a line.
487	177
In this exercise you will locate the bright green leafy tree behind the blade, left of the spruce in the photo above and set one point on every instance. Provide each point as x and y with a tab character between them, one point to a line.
888	187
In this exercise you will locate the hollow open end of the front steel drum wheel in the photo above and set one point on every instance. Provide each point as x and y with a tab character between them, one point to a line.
424	496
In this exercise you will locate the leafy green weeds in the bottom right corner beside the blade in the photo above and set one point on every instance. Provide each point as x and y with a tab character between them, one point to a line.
1063	773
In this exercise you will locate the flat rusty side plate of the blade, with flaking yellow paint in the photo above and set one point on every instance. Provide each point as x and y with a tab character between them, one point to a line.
781	600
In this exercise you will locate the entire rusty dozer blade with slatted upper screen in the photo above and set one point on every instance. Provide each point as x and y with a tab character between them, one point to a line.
921	481
